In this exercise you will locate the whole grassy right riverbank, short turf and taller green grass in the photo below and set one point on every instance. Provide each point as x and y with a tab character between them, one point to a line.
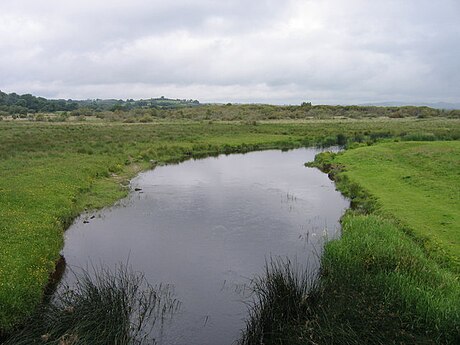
393	275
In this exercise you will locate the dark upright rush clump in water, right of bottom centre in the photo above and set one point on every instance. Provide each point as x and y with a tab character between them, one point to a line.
281	299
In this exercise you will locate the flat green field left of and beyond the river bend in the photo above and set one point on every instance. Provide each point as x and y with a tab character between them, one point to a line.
51	172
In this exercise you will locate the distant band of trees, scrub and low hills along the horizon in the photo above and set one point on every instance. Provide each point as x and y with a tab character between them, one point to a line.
13	106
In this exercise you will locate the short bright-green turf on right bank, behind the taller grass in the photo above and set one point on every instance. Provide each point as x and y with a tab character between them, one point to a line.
418	184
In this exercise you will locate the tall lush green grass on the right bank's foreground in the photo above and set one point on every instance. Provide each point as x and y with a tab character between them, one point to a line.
380	284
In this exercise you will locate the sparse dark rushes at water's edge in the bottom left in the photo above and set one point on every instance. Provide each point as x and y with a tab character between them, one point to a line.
105	306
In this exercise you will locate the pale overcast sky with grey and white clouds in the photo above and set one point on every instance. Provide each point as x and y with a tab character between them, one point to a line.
258	51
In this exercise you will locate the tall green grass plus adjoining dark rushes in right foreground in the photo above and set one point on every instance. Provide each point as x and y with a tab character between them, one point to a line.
375	286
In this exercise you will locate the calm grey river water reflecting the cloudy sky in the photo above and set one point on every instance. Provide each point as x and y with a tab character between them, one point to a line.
207	226
